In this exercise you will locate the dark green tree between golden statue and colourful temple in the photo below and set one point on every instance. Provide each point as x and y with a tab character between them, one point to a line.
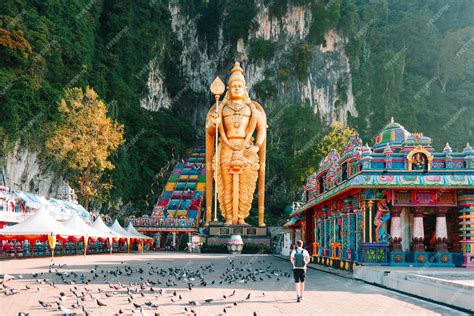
293	134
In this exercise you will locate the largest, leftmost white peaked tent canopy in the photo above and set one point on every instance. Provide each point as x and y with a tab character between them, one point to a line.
40	223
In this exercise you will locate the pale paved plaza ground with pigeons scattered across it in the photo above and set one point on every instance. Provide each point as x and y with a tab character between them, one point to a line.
272	293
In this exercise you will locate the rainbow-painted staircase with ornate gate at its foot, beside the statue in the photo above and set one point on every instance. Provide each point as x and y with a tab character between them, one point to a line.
178	209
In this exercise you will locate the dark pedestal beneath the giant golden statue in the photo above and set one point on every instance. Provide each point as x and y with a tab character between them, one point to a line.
256	239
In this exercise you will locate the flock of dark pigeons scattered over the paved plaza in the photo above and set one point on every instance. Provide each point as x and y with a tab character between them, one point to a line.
157	286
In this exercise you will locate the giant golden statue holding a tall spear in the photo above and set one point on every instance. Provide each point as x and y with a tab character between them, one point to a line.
240	158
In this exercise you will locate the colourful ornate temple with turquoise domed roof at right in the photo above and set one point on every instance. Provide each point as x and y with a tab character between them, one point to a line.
399	203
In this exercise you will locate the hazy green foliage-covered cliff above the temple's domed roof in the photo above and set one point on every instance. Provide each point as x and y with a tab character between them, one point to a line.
412	60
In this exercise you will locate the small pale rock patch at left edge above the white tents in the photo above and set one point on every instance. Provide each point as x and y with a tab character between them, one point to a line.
24	171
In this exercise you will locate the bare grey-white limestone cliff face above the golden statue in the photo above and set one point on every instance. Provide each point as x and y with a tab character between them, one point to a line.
328	66
